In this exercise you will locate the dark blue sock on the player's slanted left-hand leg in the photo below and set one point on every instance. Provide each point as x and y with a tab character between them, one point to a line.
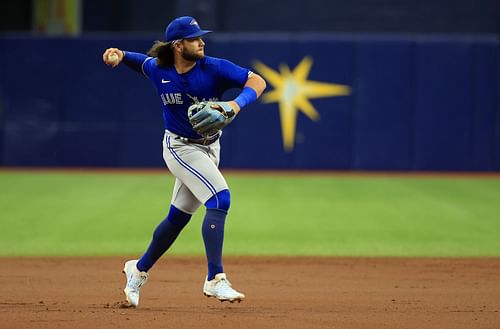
163	237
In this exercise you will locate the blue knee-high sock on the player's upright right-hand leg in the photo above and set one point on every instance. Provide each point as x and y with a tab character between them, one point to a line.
213	231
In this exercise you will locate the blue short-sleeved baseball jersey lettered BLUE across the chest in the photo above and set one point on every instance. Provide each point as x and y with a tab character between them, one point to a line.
206	81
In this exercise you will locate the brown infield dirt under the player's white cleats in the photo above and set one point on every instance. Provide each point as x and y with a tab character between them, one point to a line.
317	292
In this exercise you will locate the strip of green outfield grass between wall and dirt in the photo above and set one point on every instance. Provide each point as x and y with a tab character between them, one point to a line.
115	213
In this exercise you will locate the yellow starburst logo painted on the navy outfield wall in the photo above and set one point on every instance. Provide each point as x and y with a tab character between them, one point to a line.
292	91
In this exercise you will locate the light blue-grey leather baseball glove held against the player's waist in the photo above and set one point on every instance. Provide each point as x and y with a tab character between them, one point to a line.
209	117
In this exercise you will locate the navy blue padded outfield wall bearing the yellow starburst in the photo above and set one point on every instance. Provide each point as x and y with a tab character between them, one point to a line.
372	102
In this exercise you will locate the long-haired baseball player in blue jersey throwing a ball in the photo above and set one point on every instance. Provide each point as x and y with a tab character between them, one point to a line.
190	86
